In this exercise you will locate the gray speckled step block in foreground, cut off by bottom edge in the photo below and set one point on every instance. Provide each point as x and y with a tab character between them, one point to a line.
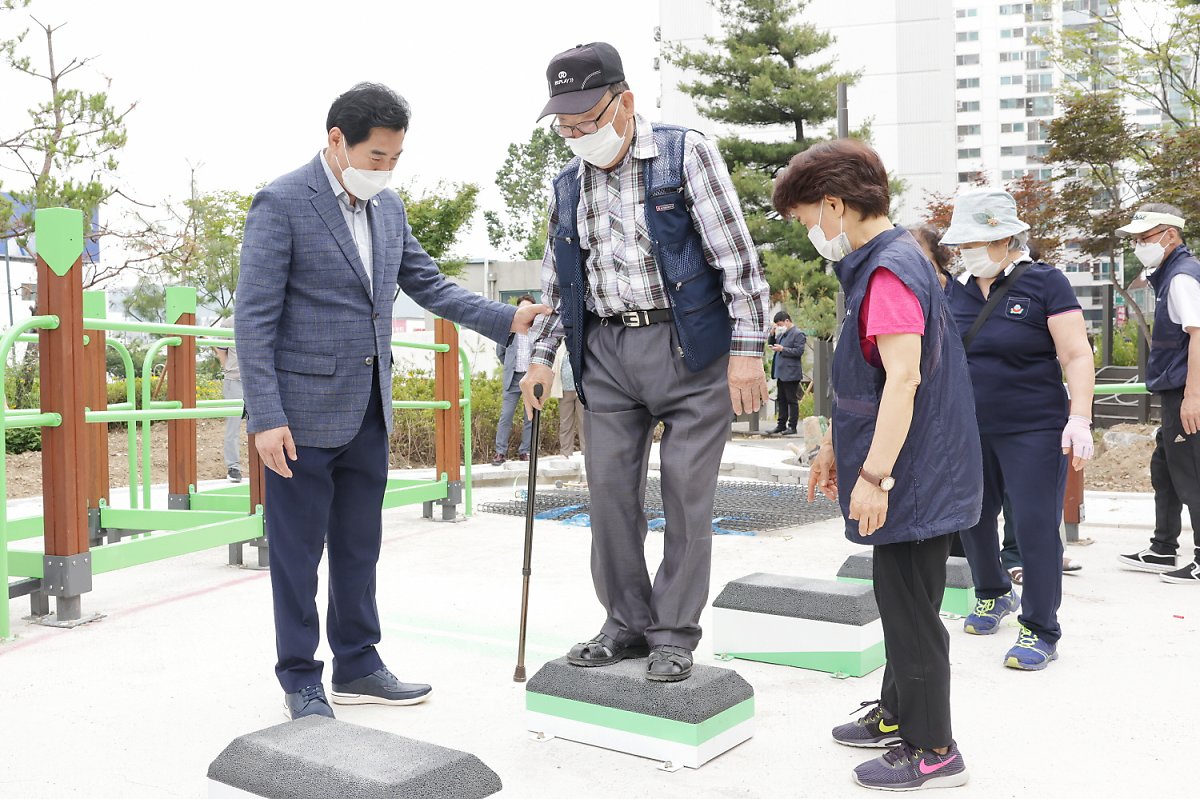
319	759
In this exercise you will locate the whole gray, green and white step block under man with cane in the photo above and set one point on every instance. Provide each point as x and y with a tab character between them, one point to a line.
683	724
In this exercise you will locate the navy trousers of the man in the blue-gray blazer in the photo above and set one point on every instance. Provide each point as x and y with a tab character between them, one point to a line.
332	503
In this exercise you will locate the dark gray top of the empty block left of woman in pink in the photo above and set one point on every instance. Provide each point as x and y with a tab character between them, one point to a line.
801	598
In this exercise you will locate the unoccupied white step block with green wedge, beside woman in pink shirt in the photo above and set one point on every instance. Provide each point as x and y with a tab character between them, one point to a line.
818	624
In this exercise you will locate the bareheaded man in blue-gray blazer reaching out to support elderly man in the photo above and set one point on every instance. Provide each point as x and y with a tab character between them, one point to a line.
323	254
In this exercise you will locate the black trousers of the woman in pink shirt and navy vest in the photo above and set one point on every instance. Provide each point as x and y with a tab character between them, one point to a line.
910	579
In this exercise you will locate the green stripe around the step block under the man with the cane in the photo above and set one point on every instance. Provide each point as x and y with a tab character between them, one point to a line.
679	732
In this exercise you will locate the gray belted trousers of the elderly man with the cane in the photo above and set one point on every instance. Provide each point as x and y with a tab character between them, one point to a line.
635	380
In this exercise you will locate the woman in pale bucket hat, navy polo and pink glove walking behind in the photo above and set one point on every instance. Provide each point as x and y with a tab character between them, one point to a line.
1023	331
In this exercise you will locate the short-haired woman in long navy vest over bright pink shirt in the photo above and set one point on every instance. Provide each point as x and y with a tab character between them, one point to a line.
903	455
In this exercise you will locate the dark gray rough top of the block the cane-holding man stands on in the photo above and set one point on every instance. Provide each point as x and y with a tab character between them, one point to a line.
707	693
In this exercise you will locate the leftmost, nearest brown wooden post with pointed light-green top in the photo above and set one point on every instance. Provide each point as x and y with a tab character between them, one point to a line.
67	563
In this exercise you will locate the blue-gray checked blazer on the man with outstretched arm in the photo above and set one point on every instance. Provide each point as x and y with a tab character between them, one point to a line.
311	331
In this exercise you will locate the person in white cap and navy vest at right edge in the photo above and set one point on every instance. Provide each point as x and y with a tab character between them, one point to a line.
1174	374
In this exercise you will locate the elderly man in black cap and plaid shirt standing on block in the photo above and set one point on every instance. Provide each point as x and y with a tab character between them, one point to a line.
657	287
